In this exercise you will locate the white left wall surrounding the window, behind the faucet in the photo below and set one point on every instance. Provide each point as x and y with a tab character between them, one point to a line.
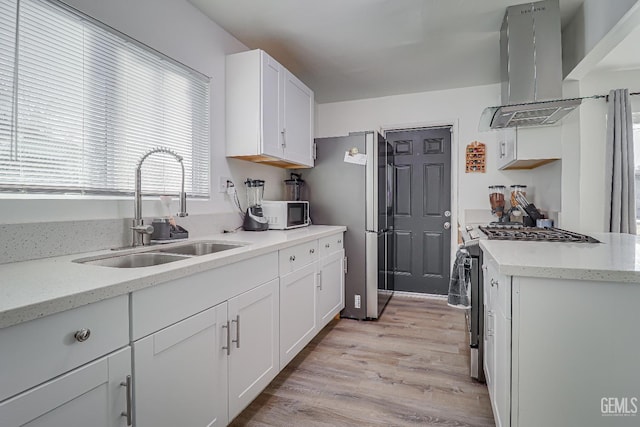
177	29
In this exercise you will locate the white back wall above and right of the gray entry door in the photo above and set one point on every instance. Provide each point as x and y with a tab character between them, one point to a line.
461	107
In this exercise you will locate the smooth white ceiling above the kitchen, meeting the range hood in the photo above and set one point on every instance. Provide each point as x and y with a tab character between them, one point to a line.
355	49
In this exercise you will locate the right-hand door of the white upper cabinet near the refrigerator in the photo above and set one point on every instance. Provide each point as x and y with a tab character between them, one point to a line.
298	120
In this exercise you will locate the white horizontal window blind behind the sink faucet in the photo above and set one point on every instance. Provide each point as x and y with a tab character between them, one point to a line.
81	103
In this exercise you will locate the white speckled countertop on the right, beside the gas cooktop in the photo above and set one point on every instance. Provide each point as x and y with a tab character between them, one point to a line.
615	259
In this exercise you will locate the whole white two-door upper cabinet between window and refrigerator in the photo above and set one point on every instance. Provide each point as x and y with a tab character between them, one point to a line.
269	112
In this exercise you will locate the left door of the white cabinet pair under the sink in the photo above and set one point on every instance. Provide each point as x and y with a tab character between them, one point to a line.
180	373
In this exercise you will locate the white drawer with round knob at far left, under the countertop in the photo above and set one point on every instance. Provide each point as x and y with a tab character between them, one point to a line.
35	351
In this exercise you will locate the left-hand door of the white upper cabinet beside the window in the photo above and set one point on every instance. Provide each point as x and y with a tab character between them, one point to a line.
271	106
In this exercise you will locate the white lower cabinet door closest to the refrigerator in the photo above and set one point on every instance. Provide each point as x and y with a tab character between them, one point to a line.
330	287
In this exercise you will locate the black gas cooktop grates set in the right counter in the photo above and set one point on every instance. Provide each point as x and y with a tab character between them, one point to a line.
519	232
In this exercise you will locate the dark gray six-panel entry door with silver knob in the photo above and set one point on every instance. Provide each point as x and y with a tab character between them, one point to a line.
422	209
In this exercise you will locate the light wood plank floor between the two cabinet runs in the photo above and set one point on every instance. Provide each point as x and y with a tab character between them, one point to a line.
411	367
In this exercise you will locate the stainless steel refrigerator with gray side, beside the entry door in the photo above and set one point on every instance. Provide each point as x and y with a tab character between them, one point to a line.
352	184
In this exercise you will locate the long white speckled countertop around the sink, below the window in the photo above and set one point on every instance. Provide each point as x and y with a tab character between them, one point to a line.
33	289
